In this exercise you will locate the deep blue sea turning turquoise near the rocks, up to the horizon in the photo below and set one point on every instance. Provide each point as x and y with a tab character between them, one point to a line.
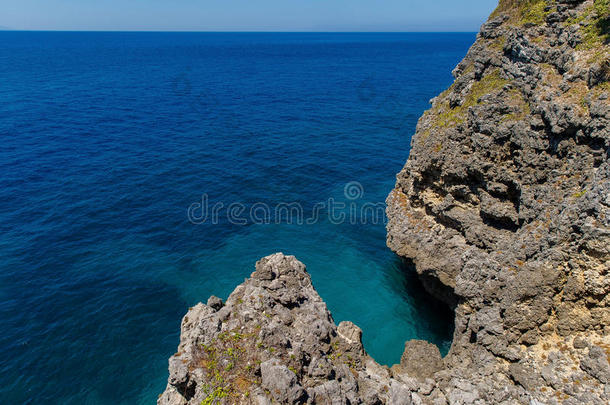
113	145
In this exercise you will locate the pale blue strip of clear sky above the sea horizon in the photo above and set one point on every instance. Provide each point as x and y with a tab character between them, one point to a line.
245	15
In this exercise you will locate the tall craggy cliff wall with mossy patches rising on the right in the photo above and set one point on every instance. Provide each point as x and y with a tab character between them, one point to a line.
505	204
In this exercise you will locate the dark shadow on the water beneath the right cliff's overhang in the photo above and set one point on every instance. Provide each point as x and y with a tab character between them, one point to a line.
434	317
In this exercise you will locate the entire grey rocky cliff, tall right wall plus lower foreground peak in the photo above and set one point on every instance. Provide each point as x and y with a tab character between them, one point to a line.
503	205
